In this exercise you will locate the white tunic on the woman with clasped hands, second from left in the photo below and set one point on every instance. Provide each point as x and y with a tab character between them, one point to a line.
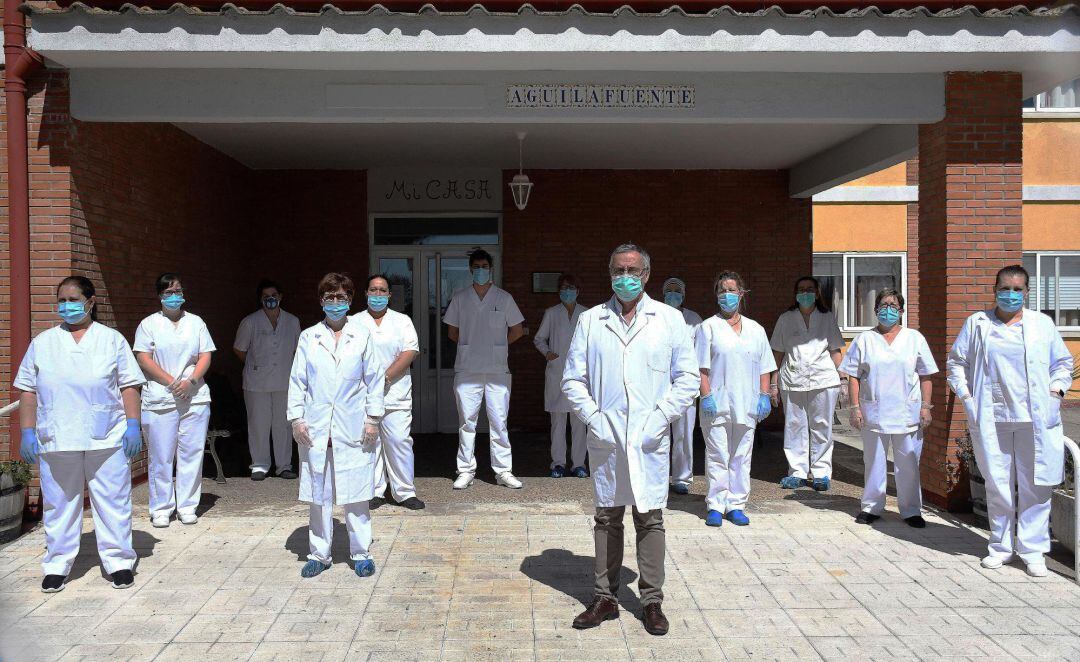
175	348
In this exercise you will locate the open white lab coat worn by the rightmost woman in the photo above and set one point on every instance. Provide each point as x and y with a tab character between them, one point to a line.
1049	367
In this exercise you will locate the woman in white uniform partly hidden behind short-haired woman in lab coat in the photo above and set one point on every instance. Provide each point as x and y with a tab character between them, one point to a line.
396	347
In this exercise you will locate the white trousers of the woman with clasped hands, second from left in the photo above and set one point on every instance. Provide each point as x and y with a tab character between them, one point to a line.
178	439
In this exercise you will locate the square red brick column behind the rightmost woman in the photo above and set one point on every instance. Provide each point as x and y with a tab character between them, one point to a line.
969	226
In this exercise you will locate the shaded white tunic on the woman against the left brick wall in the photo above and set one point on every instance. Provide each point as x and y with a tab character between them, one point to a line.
269	350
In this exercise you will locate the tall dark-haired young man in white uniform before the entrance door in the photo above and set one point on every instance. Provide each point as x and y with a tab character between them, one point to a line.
484	321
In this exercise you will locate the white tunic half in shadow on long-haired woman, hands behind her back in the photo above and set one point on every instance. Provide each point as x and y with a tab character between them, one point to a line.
807	364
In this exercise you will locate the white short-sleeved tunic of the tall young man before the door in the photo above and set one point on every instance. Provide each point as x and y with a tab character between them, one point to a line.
482	329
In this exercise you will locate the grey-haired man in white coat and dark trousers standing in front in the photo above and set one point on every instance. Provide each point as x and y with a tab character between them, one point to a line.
630	373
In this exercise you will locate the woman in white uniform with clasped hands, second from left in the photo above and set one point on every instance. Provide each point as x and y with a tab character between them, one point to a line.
173	348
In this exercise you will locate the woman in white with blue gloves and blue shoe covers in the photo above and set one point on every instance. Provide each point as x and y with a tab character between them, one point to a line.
736	366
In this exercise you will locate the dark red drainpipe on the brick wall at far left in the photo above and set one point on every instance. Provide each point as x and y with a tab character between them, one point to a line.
20	64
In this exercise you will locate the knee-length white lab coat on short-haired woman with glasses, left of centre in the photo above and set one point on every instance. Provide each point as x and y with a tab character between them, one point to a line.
333	388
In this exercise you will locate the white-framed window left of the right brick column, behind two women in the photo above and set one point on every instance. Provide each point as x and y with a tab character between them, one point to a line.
850	283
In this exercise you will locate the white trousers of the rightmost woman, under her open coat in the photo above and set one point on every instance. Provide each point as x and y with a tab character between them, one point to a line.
1015	504
